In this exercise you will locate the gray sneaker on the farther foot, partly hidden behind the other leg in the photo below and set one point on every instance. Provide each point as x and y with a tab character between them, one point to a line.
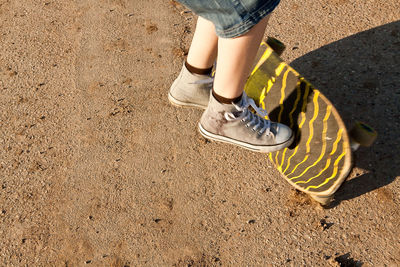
190	90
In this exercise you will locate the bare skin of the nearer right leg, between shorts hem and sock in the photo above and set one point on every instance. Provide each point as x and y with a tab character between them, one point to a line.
235	58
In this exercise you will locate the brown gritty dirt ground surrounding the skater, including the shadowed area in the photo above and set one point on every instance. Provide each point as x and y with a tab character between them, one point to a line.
98	169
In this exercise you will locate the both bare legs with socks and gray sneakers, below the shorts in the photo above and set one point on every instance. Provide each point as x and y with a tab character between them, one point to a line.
221	120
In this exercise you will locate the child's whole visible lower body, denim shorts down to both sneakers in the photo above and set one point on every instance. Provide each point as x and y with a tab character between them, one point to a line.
228	116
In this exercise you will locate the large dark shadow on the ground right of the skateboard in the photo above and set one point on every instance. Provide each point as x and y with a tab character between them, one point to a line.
360	75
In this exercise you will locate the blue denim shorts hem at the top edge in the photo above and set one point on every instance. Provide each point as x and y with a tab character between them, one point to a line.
232	18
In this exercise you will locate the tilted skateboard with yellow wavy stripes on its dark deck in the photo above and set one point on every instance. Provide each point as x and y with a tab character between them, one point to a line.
320	158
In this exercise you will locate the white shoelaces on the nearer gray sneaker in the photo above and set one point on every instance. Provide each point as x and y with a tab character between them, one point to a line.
259	124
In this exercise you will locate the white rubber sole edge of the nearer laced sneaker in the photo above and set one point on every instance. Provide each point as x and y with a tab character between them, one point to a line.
256	148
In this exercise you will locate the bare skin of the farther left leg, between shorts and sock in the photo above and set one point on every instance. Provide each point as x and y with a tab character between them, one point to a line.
203	50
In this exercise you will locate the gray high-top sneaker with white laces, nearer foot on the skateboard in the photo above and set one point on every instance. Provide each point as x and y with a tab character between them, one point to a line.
237	125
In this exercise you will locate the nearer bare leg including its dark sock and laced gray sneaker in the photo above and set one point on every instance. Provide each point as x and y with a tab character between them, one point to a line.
228	117
